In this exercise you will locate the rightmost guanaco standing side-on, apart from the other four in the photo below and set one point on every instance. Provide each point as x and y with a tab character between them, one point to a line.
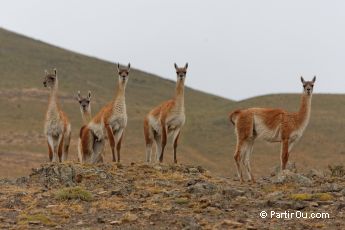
273	125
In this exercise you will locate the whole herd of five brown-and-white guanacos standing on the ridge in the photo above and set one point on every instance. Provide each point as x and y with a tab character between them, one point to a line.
167	119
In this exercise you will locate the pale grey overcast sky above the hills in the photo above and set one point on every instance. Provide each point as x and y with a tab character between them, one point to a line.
235	49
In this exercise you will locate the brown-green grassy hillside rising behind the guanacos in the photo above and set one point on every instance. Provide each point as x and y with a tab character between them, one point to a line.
207	138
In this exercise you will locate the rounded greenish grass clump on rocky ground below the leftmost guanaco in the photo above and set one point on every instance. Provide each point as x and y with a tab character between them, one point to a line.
74	193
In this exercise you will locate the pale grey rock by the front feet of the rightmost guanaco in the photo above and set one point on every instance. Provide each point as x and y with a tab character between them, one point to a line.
287	176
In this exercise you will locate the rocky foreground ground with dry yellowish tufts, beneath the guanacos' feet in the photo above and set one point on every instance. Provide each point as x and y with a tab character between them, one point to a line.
139	196
